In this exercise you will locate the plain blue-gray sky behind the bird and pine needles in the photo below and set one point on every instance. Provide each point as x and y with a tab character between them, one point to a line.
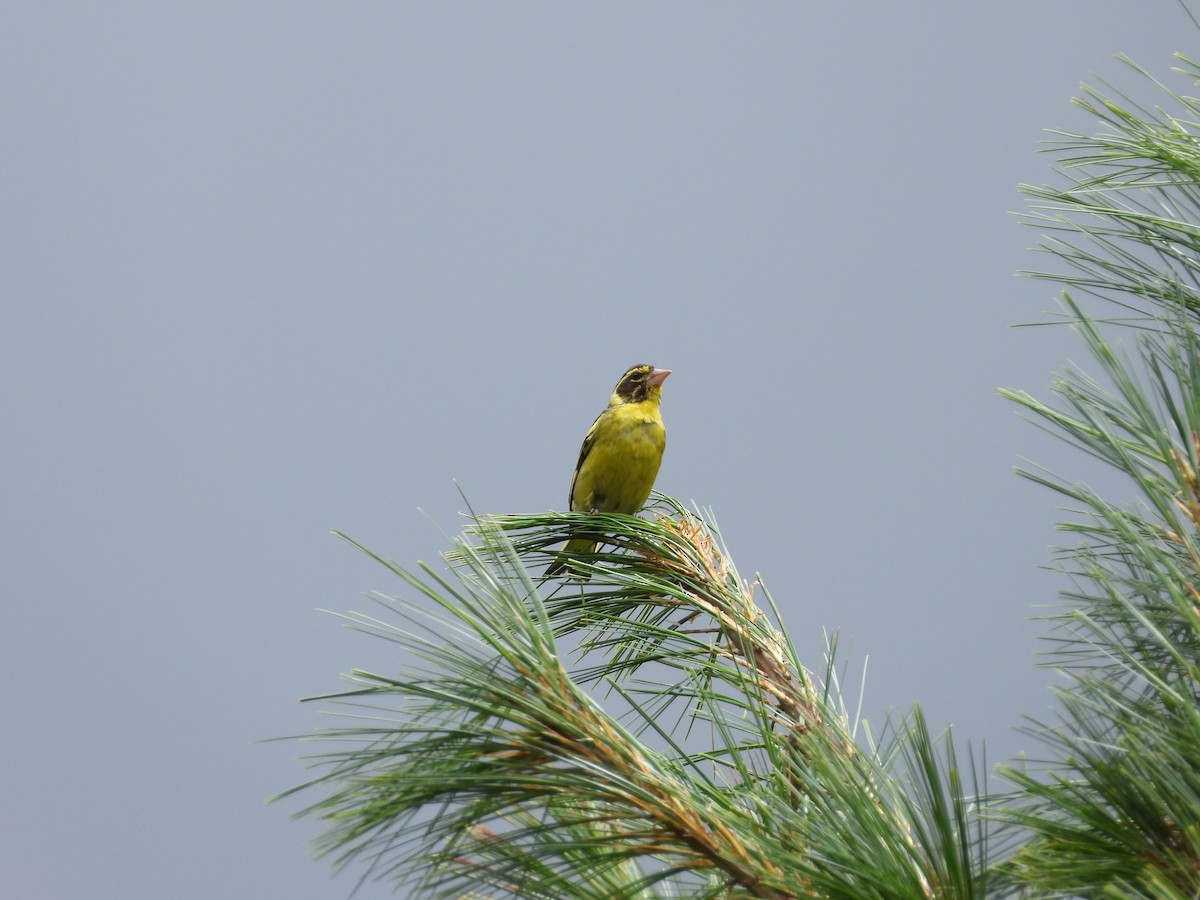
273	269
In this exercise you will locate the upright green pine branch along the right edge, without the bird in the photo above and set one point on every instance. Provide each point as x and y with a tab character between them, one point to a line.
1113	811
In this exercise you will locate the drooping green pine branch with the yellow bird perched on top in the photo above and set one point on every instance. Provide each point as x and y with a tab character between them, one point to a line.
489	765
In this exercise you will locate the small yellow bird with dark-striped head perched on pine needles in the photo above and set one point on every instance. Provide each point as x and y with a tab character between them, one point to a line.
621	455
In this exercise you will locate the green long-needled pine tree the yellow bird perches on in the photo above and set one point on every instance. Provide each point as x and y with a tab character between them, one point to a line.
652	734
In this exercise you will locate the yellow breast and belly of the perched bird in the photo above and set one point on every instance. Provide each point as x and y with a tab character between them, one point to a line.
623	461
